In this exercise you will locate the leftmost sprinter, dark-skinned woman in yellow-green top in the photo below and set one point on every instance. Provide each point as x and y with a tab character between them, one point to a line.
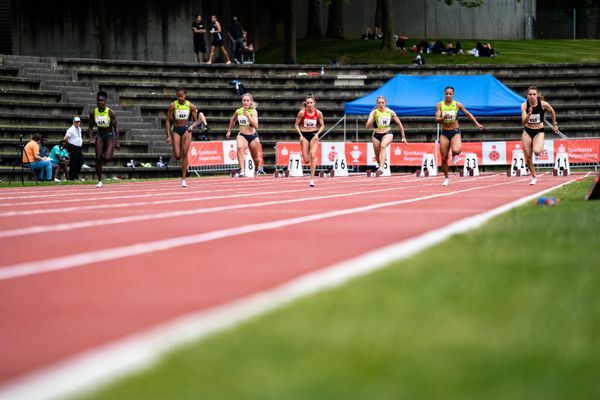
107	139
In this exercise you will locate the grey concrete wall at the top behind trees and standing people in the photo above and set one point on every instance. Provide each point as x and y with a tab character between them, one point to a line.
160	30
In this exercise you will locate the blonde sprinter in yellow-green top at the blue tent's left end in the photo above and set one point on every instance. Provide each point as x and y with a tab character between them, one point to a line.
380	119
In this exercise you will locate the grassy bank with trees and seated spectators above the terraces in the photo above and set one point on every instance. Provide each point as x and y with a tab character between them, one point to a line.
325	51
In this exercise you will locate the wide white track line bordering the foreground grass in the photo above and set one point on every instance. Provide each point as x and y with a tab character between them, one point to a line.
100	366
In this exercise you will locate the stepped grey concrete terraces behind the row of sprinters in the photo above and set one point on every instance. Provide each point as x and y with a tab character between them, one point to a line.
43	94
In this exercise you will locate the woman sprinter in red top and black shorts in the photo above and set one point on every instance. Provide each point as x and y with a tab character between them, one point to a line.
306	126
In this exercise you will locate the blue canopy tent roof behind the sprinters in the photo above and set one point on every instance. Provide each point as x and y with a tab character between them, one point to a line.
410	95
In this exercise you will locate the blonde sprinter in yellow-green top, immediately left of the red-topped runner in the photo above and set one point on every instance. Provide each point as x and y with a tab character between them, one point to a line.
247	119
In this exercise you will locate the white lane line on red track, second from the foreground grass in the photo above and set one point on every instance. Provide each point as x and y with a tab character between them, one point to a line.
114	253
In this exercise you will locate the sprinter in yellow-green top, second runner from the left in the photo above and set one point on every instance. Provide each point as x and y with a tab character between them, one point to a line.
179	113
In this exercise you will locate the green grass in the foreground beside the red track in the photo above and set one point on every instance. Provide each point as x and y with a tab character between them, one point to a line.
508	311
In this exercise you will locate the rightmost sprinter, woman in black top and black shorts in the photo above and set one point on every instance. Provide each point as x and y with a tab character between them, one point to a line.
532	116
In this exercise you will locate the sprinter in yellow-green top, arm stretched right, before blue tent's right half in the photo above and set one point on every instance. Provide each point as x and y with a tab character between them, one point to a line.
446	113
